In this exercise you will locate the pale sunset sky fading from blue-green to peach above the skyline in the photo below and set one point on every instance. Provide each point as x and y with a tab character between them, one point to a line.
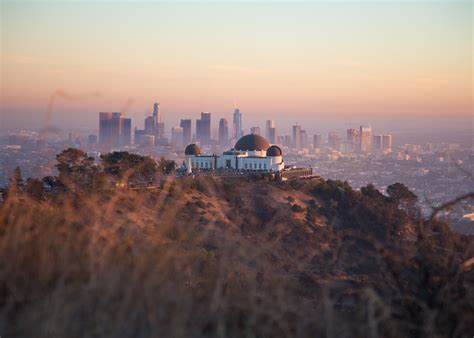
310	62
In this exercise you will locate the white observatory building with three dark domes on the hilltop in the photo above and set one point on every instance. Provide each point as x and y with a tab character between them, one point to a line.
251	152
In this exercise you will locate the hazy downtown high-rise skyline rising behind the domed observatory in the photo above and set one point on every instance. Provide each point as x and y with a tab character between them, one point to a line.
115	131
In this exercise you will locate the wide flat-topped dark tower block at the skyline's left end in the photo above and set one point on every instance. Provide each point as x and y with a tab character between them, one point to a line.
111	129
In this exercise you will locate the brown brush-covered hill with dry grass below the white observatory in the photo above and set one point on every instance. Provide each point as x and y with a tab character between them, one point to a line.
231	257
